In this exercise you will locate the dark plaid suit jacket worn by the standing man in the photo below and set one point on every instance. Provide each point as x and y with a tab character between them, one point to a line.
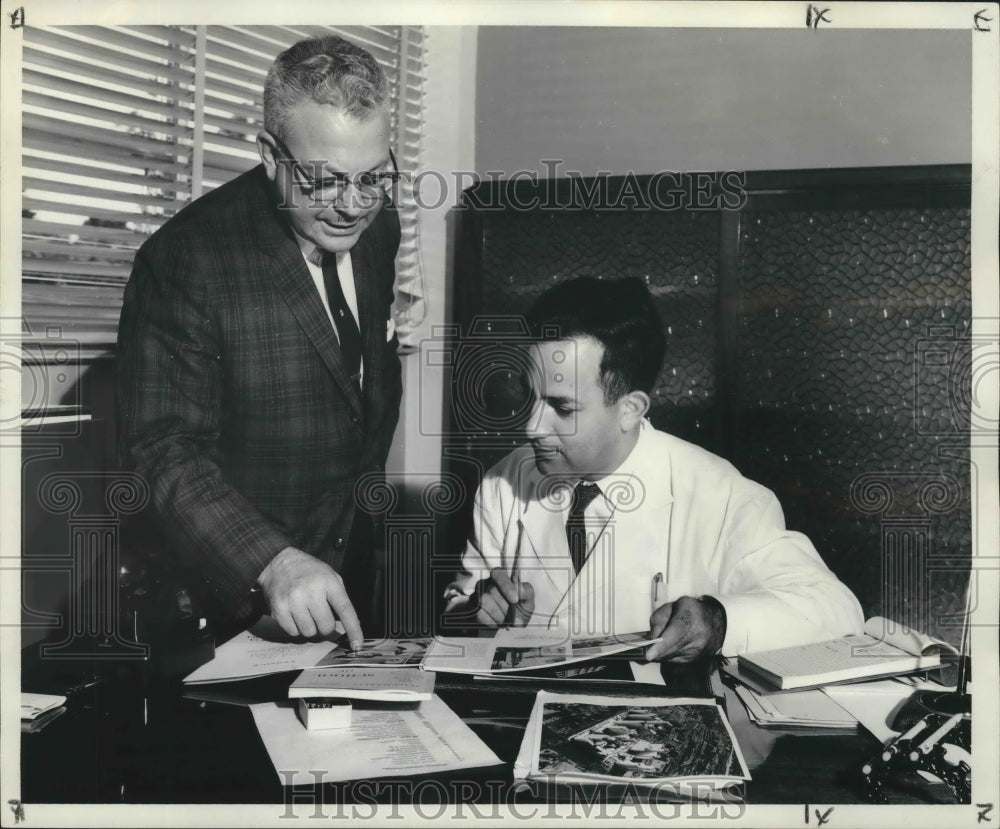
233	400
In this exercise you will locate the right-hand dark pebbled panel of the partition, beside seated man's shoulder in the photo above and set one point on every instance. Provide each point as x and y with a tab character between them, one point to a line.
834	306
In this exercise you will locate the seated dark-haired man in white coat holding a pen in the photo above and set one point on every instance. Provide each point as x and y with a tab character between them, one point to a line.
601	520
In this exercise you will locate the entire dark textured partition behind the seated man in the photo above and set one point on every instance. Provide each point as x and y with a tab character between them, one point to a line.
818	337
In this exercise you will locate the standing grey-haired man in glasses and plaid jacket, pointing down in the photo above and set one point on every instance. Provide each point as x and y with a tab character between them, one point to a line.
258	374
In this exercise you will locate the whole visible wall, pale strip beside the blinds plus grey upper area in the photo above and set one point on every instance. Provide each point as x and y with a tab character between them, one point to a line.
505	98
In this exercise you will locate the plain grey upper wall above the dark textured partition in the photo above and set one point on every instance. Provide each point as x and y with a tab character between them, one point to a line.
646	100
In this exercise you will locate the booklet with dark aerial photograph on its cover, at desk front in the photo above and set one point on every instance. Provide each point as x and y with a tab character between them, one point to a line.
686	745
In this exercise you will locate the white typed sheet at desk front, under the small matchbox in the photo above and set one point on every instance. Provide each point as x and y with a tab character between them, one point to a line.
380	743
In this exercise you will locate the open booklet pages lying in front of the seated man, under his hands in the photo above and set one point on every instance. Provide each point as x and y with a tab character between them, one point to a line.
523	649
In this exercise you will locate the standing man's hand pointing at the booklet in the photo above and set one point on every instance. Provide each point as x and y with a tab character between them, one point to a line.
307	596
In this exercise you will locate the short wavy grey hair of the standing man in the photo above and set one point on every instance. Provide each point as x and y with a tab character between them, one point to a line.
327	70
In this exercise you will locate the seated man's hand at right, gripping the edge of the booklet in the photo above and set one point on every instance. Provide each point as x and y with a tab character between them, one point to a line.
690	628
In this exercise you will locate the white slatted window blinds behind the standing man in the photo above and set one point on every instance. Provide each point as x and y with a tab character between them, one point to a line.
123	126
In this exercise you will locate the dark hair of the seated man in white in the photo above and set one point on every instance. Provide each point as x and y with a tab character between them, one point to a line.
618	313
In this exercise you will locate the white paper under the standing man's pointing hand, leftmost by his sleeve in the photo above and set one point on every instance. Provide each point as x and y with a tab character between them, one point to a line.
264	649
